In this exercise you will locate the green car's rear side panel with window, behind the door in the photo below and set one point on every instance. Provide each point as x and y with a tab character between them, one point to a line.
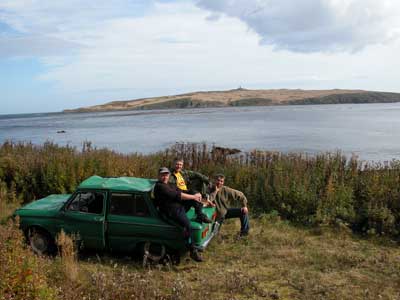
131	222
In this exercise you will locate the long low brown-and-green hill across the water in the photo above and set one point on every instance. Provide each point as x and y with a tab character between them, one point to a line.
245	97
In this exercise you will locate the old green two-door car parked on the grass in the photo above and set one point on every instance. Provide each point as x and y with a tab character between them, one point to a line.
112	214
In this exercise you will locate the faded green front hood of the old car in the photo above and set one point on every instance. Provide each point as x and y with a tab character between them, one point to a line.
46	206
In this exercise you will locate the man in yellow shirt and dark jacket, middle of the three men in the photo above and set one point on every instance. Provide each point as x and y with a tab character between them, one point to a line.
186	180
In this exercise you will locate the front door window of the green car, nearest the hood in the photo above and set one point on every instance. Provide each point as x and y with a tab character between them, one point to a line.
87	202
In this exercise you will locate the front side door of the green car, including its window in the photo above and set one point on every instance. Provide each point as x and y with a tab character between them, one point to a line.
84	215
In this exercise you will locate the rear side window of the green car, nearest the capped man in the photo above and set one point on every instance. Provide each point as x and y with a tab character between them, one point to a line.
128	204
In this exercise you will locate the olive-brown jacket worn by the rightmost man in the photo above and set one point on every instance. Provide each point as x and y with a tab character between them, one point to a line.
225	198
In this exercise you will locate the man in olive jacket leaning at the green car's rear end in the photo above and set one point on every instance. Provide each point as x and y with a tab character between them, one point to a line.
224	197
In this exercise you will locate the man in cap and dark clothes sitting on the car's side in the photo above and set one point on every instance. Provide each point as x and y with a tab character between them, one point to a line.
175	203
